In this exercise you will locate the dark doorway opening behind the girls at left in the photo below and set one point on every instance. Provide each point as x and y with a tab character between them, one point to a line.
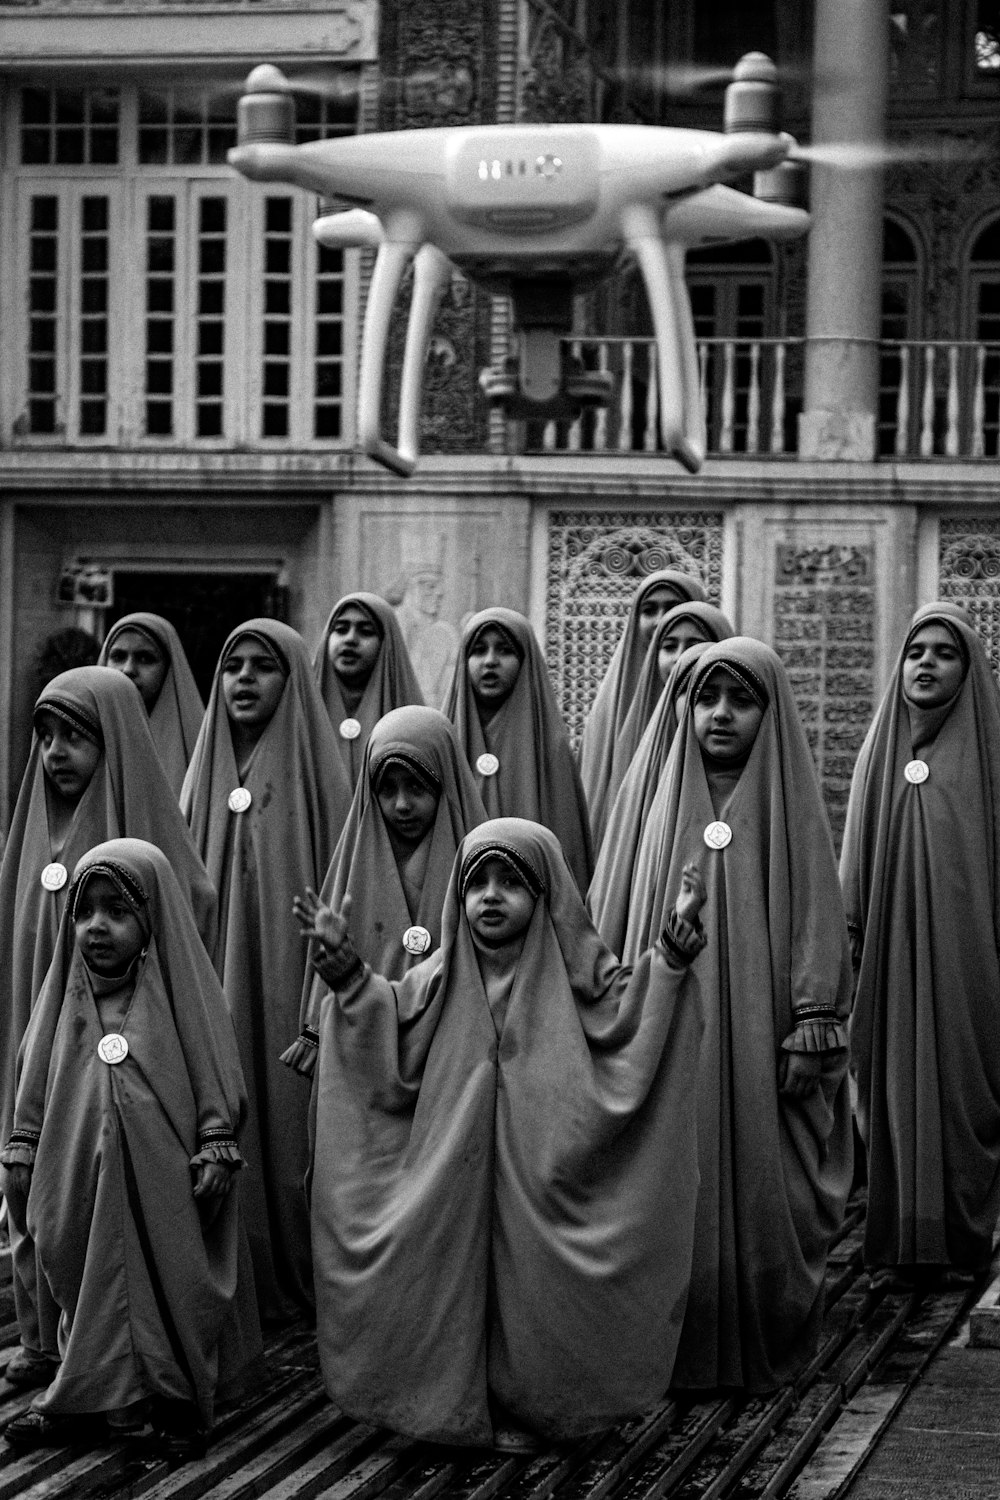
202	607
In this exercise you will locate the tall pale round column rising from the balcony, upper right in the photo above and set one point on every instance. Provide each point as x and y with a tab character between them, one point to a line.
845	278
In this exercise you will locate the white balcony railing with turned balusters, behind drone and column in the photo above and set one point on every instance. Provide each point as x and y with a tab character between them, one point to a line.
936	400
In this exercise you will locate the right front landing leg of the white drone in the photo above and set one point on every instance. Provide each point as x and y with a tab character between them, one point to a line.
657	274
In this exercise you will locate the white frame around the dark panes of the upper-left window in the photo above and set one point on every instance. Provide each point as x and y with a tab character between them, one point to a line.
130	188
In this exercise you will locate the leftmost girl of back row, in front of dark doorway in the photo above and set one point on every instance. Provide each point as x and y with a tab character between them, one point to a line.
148	650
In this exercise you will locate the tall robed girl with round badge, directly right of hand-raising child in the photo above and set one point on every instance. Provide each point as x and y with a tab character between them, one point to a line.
776	983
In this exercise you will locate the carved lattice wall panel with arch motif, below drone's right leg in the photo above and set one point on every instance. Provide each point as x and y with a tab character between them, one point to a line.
596	565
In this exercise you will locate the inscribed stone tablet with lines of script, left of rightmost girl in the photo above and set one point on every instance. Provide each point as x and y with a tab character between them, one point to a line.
825	634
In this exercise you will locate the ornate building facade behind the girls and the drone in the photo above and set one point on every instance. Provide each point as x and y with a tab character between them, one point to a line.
179	362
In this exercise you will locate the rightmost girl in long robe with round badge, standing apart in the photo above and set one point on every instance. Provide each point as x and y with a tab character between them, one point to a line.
921	869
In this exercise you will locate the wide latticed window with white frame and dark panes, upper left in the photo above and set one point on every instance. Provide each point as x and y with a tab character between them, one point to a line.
161	299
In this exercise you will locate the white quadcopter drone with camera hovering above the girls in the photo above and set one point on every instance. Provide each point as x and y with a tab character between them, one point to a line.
536	212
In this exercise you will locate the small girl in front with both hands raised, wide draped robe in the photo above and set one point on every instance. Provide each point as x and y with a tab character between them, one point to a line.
506	1160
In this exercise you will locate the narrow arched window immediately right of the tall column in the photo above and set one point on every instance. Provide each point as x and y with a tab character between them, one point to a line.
900	323
